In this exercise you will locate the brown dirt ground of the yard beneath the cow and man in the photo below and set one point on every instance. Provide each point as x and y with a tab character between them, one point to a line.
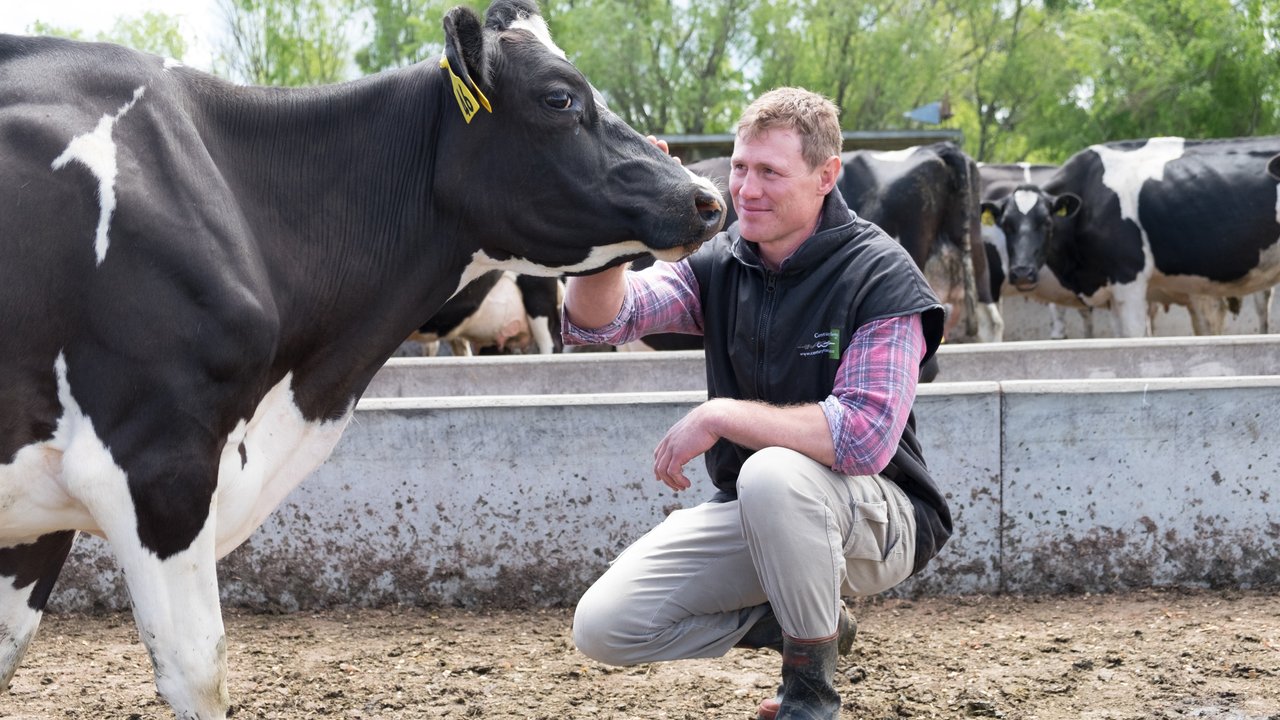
1153	655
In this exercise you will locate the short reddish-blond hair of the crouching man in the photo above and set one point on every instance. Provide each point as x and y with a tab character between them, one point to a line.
813	117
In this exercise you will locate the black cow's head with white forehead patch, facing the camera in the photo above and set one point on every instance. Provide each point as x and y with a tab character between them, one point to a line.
1028	218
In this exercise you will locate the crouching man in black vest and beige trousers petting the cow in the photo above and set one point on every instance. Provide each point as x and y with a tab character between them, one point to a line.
816	326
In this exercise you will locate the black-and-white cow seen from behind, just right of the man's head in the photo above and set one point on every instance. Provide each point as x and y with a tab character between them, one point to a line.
929	199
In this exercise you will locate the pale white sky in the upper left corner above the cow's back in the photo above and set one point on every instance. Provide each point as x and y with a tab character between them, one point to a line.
200	20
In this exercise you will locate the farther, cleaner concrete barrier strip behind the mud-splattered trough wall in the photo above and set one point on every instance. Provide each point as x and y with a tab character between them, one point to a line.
662	372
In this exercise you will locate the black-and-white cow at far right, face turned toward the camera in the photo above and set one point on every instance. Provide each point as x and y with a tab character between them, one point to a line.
1130	221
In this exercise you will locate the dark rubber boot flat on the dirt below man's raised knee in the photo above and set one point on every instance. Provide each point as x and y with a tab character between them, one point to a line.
808	681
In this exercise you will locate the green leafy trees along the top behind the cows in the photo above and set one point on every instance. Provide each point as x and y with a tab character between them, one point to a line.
1028	80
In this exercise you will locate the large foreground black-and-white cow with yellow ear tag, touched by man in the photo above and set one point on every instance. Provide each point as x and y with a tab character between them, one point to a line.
198	281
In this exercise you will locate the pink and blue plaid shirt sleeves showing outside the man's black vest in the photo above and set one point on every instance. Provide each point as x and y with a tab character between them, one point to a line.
875	386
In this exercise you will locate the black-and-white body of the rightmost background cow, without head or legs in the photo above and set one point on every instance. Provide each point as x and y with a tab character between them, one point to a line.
1206	211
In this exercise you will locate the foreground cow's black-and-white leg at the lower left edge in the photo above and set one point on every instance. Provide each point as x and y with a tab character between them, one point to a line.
28	577
